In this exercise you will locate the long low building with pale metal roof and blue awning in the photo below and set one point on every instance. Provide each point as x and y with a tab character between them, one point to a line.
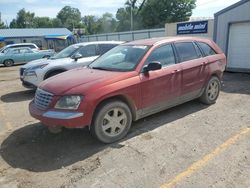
46	38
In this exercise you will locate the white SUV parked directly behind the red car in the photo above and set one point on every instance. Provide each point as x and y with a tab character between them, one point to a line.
77	55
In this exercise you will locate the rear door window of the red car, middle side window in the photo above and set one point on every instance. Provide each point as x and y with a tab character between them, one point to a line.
186	51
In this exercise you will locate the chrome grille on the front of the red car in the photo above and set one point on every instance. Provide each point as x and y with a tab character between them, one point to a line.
43	98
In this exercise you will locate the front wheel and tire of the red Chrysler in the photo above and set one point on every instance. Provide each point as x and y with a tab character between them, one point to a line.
111	122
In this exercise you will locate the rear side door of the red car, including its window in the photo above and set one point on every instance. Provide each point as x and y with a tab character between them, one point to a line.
193	66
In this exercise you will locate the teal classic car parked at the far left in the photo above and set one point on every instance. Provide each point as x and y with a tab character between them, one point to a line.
23	55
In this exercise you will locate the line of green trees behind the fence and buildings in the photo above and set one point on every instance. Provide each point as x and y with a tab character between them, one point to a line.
135	15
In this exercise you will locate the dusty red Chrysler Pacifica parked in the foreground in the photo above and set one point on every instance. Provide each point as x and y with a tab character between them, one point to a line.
129	82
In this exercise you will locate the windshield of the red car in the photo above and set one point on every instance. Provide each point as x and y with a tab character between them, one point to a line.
120	58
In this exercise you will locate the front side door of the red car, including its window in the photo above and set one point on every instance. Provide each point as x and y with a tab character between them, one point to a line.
161	88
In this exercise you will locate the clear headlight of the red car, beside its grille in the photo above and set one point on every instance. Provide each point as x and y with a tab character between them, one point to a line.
71	102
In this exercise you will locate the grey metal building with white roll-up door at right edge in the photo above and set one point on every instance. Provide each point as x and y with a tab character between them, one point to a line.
232	34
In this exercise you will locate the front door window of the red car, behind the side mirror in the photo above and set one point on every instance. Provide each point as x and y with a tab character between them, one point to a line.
163	54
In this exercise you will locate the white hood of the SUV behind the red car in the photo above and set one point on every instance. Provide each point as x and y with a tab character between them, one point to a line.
45	61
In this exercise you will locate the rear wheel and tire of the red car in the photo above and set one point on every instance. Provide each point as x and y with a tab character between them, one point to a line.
211	91
